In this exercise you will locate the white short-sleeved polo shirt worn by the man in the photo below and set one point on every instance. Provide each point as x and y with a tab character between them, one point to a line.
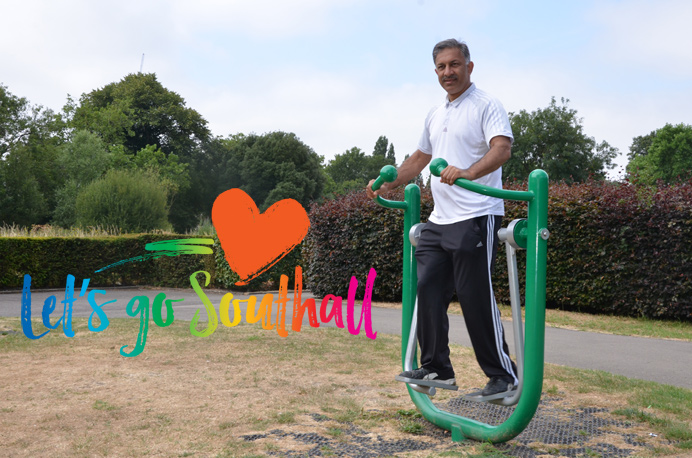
460	132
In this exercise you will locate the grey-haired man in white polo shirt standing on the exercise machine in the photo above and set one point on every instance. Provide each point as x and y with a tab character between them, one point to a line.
457	247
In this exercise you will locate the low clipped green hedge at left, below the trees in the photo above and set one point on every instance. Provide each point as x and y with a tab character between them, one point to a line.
50	260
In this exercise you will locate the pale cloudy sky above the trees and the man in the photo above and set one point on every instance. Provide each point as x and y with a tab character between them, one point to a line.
340	73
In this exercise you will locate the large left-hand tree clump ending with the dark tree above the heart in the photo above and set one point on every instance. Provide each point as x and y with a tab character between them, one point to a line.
58	168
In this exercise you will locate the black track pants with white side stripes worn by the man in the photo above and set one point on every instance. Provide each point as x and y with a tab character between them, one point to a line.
461	257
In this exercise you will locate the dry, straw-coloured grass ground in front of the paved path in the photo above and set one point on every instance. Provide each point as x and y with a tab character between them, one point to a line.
245	391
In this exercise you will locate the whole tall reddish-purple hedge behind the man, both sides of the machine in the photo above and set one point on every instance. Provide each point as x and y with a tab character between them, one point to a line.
614	248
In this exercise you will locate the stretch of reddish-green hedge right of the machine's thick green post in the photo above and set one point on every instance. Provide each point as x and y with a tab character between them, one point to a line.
621	249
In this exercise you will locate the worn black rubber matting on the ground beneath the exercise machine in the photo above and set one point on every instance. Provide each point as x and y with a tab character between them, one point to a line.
554	431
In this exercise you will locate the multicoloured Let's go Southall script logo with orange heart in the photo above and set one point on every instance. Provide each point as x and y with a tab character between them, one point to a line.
252	243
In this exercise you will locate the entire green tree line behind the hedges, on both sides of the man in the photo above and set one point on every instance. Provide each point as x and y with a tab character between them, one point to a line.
55	167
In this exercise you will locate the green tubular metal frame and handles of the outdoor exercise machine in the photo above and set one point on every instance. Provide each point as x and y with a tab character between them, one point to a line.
536	234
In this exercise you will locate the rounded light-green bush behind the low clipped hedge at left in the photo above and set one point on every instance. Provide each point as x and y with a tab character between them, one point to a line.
133	201
